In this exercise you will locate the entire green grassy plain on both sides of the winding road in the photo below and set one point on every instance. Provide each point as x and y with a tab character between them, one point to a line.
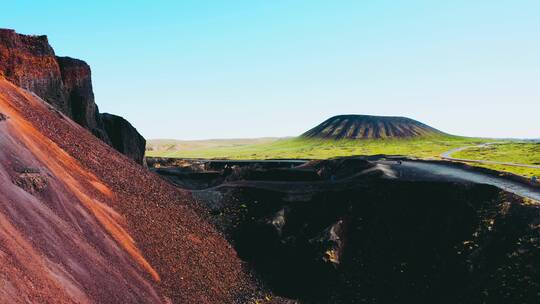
427	147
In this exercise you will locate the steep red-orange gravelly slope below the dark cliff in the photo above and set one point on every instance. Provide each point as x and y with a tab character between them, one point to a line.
79	222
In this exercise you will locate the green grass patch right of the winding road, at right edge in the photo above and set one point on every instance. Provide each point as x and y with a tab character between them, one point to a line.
510	152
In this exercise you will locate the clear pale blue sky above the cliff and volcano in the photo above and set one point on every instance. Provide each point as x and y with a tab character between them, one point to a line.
260	68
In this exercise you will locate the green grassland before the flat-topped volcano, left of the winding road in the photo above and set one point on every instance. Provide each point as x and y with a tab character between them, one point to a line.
304	148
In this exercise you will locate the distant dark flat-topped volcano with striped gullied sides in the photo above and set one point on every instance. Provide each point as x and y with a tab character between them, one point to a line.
370	127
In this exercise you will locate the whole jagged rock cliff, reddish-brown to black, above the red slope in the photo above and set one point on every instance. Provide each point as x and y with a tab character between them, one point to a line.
66	83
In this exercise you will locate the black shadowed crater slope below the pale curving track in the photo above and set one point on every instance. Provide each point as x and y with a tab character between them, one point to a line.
357	234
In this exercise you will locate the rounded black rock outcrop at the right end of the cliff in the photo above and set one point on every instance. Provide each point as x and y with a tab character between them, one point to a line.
124	137
